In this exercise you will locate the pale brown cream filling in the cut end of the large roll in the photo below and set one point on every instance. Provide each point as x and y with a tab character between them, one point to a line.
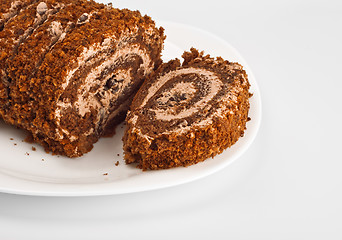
86	100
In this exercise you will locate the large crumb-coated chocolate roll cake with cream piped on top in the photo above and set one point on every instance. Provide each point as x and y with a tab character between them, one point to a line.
70	68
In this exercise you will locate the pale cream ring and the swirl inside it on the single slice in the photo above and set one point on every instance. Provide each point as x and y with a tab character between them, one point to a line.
181	100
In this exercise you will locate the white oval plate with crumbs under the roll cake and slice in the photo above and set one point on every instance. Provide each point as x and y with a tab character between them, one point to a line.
28	172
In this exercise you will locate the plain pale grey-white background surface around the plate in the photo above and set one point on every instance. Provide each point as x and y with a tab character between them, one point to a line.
288	185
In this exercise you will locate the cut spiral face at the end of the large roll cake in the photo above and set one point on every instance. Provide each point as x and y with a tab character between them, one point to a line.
107	80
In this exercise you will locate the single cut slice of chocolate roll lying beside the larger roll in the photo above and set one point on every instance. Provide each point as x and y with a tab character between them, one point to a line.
186	113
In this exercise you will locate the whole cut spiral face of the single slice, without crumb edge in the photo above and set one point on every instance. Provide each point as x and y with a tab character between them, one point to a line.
182	99
